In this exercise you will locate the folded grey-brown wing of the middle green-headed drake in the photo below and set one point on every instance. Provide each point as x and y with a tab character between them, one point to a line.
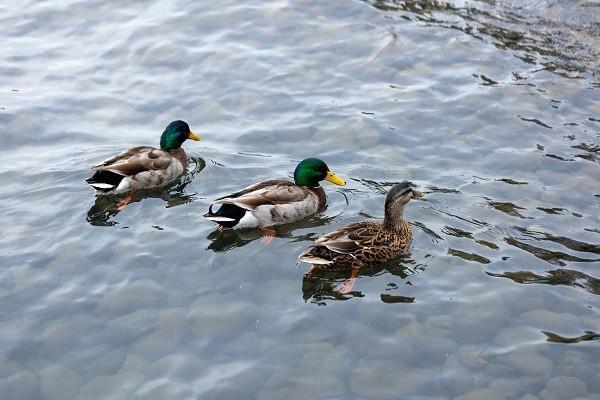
272	192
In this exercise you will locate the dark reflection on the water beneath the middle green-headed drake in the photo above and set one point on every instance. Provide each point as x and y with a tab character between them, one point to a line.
227	239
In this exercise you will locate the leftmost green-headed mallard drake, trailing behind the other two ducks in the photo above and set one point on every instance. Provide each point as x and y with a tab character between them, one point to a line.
144	167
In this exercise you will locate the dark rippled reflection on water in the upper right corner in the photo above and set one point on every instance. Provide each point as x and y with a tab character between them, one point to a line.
561	36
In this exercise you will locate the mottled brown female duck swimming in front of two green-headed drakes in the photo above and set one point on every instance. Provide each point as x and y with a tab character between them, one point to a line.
365	243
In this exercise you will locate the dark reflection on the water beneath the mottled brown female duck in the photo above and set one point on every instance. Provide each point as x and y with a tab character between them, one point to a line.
321	285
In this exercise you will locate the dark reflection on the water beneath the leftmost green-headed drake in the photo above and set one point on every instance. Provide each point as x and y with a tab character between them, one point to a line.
105	207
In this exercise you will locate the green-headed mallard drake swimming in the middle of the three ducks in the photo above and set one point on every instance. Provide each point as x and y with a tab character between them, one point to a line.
275	202
